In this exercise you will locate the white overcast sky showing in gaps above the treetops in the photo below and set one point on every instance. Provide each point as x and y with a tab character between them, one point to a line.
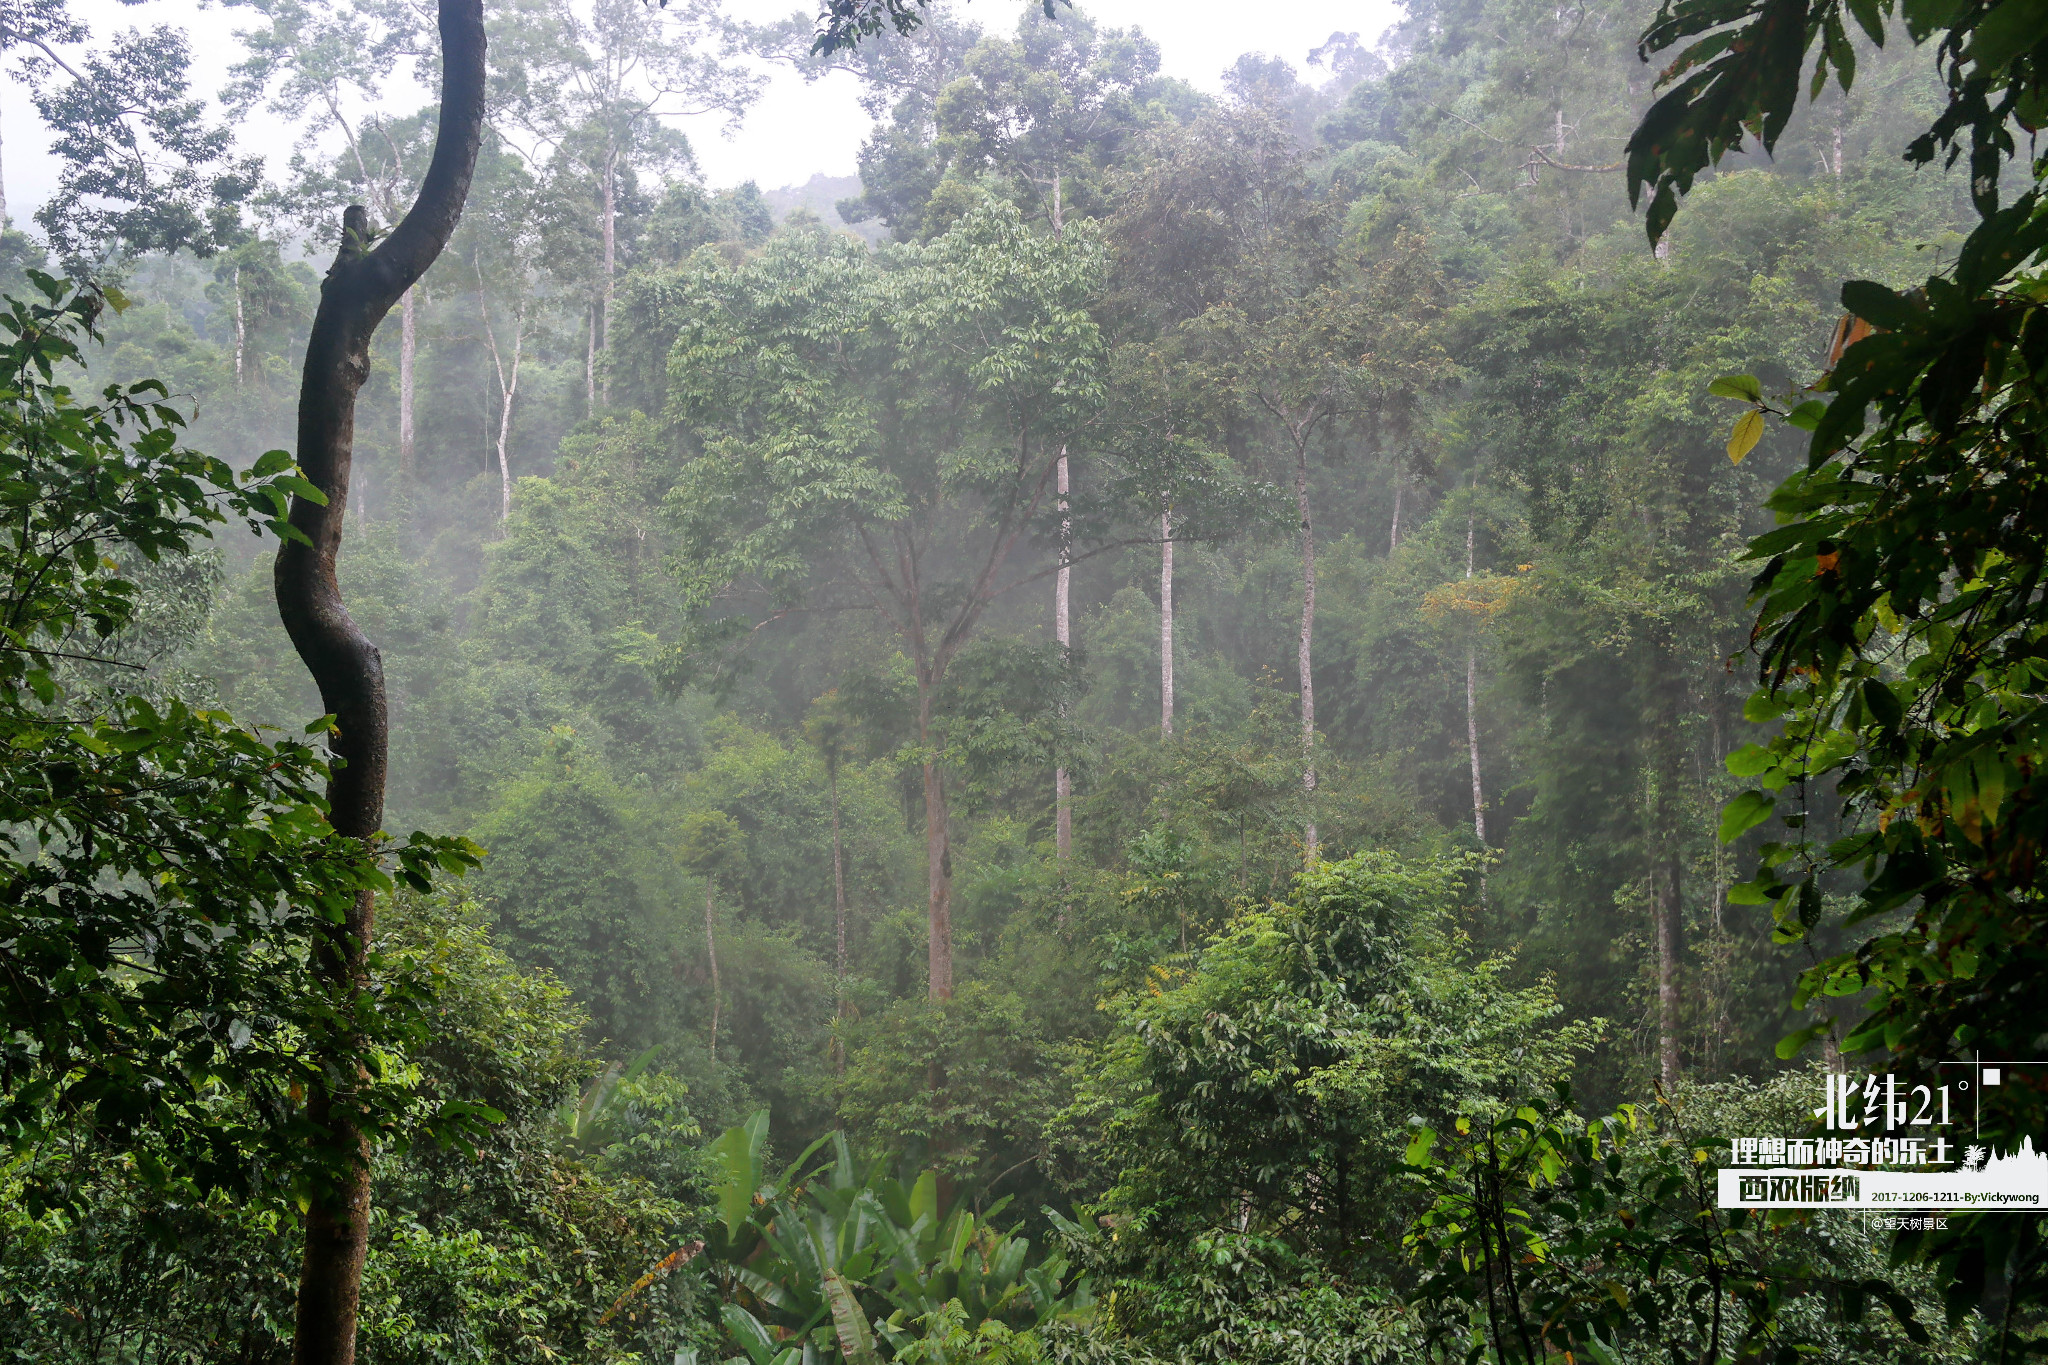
792	134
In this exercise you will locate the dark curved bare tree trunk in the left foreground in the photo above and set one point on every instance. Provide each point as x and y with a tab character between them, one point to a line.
361	288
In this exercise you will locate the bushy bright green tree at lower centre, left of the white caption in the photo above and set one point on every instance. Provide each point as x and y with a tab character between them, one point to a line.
1248	1106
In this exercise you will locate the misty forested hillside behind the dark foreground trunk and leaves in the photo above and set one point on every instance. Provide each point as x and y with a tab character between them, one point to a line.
1203	642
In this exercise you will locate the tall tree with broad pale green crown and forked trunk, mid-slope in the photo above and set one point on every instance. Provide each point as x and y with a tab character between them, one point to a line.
882	435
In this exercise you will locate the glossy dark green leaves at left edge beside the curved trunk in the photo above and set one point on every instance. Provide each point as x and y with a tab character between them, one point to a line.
165	867
